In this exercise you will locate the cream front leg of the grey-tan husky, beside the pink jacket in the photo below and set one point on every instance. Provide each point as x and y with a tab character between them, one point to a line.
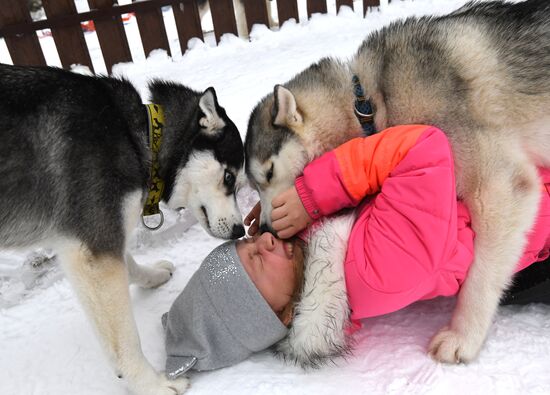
502	195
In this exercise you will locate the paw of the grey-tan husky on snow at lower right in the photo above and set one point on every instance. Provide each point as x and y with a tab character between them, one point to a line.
450	346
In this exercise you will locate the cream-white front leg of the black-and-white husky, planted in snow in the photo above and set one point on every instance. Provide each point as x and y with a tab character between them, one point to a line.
101	283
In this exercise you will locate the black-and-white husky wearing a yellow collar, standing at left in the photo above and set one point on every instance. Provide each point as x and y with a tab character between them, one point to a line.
75	165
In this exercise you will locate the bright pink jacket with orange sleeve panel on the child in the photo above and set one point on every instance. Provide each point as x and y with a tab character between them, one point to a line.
412	239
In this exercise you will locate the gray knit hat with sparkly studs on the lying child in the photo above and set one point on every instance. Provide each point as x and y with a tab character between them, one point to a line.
220	318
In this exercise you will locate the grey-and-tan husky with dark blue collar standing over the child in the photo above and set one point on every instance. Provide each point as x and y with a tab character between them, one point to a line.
482	75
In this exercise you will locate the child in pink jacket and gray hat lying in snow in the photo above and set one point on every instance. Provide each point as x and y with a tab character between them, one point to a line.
408	239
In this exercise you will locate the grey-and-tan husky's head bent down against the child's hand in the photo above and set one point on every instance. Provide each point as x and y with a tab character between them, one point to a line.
309	115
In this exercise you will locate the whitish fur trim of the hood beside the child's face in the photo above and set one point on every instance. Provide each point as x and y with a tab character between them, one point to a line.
318	332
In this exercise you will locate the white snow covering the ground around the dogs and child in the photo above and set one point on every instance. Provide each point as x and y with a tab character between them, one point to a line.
47	346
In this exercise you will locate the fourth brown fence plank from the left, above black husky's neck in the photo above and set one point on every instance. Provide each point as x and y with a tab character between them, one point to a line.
152	31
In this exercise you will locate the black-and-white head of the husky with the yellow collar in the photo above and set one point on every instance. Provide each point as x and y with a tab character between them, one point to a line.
203	159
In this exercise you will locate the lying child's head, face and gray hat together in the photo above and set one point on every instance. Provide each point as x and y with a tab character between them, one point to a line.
235	304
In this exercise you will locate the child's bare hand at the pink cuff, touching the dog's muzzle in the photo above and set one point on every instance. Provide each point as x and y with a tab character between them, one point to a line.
289	215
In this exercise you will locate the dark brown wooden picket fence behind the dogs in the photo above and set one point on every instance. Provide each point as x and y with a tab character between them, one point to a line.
19	30
